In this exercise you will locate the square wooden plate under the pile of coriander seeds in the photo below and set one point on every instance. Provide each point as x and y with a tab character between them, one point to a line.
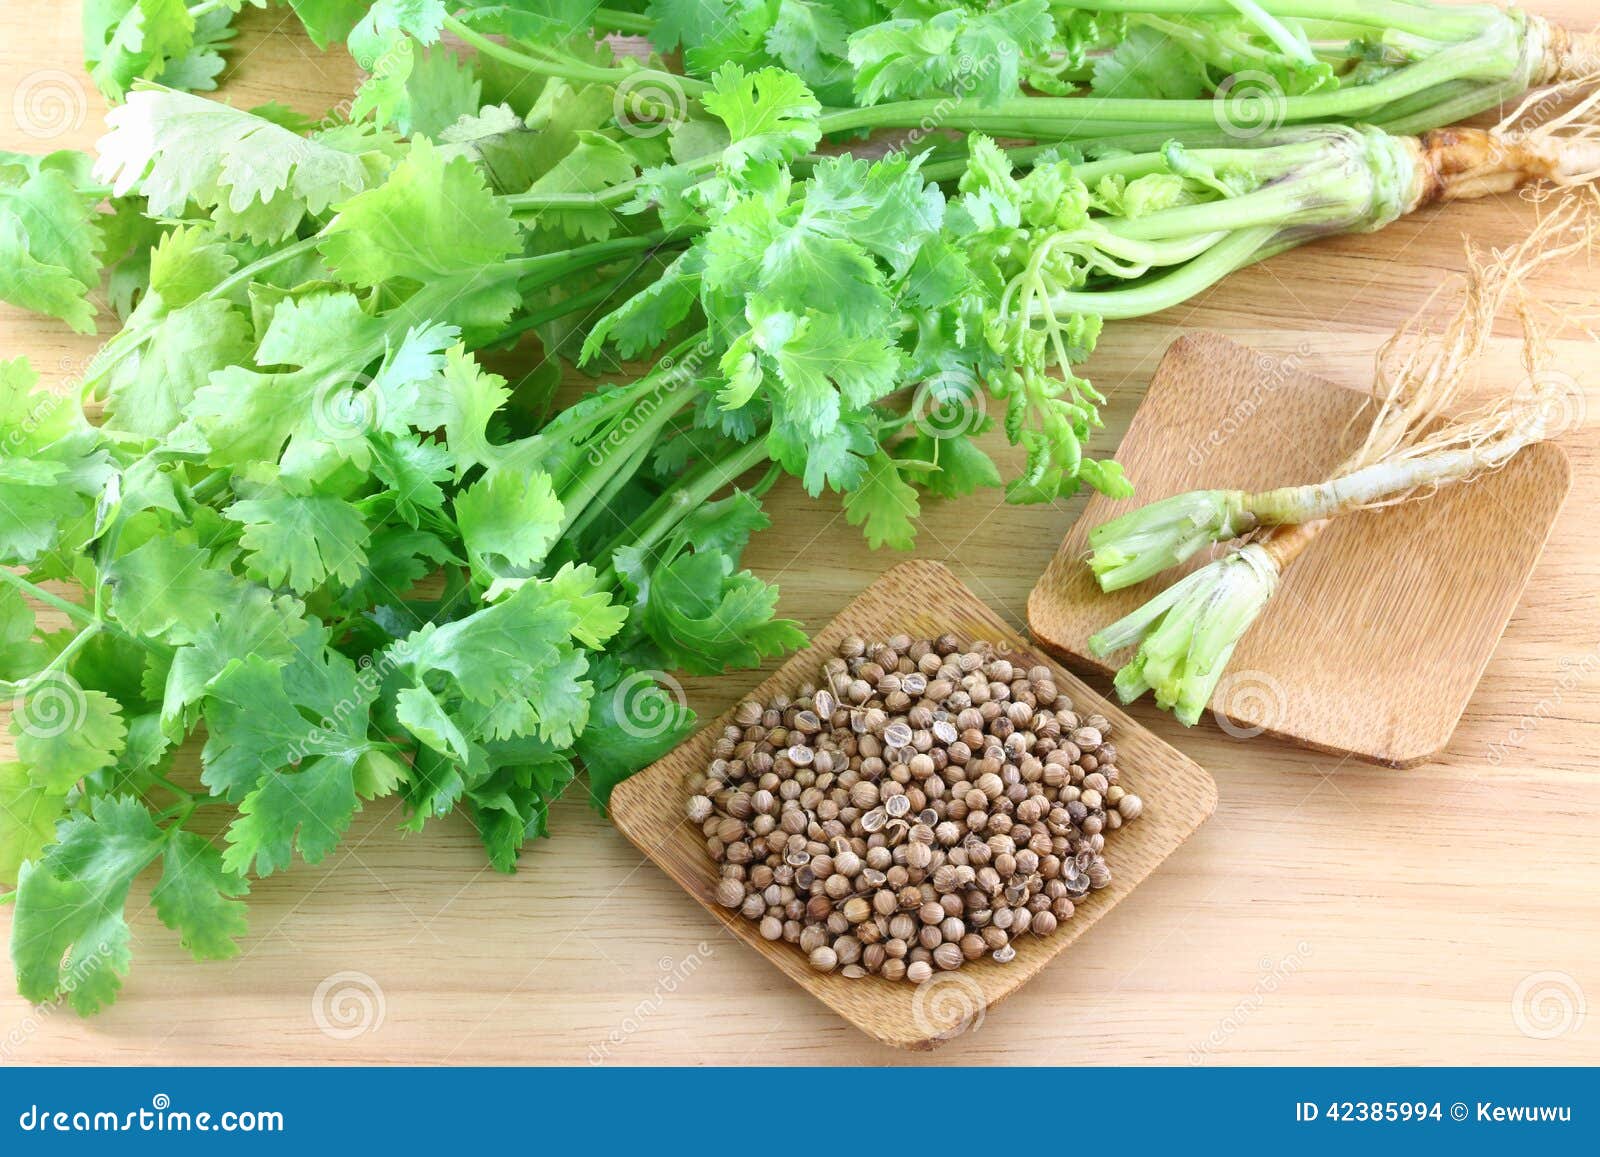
924	599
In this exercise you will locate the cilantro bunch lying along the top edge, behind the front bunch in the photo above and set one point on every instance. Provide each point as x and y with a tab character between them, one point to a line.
1022	68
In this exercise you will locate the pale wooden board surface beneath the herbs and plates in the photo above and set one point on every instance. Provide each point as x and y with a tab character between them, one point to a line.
1329	913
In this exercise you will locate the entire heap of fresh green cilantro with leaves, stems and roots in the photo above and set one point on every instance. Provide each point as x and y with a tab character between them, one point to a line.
313	527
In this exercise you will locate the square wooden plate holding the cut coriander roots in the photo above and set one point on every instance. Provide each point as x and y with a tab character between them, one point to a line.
1380	633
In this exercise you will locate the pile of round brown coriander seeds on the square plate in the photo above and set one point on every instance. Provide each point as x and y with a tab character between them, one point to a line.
926	806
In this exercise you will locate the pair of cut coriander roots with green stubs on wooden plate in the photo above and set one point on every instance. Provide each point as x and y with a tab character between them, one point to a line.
1186	635
